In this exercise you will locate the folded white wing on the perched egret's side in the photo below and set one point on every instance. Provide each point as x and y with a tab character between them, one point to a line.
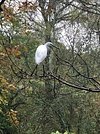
40	54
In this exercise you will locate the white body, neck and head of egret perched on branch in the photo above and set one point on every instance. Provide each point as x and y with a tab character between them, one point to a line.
41	52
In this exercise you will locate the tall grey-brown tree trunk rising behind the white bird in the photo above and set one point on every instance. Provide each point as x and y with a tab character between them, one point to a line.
47	120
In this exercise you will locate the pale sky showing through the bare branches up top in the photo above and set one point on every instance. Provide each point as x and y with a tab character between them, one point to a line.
66	33
